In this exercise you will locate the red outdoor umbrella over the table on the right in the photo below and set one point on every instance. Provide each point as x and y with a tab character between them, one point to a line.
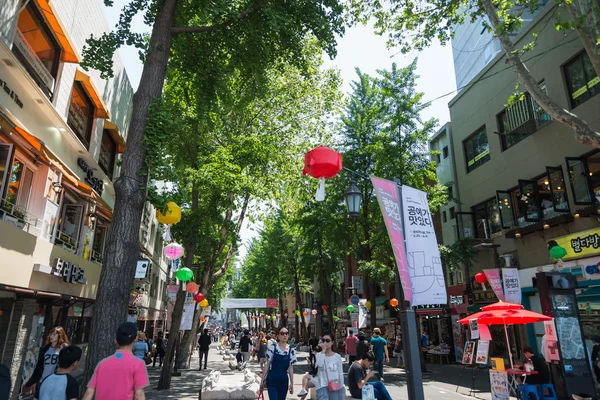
503	313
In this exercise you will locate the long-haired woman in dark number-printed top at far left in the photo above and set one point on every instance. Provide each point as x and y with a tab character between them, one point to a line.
47	359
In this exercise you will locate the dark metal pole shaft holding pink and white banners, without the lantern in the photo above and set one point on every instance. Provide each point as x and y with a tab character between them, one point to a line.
410	335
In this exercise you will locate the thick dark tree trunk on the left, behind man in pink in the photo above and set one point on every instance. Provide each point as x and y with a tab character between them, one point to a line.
122	248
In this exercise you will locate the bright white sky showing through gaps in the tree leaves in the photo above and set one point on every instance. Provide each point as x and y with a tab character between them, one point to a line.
359	48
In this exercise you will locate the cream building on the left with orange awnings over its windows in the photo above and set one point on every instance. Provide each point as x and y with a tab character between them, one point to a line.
62	129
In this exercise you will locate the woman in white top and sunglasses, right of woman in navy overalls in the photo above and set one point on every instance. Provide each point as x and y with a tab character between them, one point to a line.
330	372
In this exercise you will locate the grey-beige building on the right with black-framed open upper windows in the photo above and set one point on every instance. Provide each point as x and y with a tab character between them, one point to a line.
525	183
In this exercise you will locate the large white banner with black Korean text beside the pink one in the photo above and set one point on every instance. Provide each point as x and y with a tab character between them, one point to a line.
423	256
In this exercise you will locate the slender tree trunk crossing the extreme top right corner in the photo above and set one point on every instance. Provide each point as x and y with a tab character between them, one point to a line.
589	29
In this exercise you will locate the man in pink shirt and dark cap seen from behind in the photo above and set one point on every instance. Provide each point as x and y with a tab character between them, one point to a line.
121	376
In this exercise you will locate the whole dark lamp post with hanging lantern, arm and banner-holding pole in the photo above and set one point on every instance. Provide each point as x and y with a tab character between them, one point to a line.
408	321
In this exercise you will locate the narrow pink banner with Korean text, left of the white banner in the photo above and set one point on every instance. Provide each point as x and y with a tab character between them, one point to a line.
389	202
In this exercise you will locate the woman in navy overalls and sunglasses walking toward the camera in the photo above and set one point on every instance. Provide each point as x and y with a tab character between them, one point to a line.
278	374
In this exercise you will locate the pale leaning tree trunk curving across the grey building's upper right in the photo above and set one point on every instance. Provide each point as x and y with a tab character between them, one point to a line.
583	132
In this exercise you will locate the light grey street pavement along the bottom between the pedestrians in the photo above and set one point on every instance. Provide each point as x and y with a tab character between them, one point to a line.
440	381
